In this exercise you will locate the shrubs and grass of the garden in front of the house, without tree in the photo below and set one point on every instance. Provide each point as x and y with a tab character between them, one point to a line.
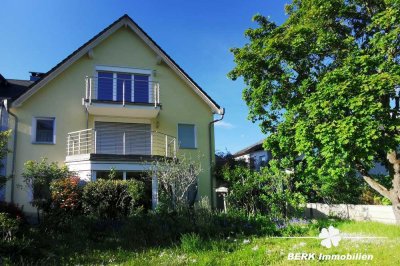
106	222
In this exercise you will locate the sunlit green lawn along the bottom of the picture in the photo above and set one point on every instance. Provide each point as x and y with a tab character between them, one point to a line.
255	251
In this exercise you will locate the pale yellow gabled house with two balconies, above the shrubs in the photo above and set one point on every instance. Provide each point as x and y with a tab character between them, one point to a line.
119	101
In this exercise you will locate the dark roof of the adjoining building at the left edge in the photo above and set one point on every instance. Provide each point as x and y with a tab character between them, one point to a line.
13	88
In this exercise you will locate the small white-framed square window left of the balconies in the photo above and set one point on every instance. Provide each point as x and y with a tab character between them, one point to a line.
43	130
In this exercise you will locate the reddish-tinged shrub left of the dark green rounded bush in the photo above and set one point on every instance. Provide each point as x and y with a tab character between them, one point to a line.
66	195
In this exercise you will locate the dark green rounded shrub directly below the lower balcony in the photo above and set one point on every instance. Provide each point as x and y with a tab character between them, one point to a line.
112	199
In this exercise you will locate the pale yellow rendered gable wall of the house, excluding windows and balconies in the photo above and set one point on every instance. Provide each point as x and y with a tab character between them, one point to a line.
62	98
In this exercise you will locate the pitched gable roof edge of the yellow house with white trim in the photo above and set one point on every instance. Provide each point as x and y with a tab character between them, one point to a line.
125	20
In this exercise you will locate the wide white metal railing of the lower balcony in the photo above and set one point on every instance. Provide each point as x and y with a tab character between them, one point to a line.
117	142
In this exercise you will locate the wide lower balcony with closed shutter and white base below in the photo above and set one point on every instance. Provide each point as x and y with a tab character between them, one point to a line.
91	153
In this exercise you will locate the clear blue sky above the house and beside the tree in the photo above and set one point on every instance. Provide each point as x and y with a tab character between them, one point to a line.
36	35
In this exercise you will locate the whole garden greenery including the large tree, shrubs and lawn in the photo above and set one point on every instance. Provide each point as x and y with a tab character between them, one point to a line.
324	87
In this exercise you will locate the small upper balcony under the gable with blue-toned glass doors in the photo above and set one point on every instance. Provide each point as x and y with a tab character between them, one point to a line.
122	95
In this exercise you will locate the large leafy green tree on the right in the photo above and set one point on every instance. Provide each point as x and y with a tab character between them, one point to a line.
324	85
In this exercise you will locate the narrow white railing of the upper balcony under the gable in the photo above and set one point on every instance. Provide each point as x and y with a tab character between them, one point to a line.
122	91
